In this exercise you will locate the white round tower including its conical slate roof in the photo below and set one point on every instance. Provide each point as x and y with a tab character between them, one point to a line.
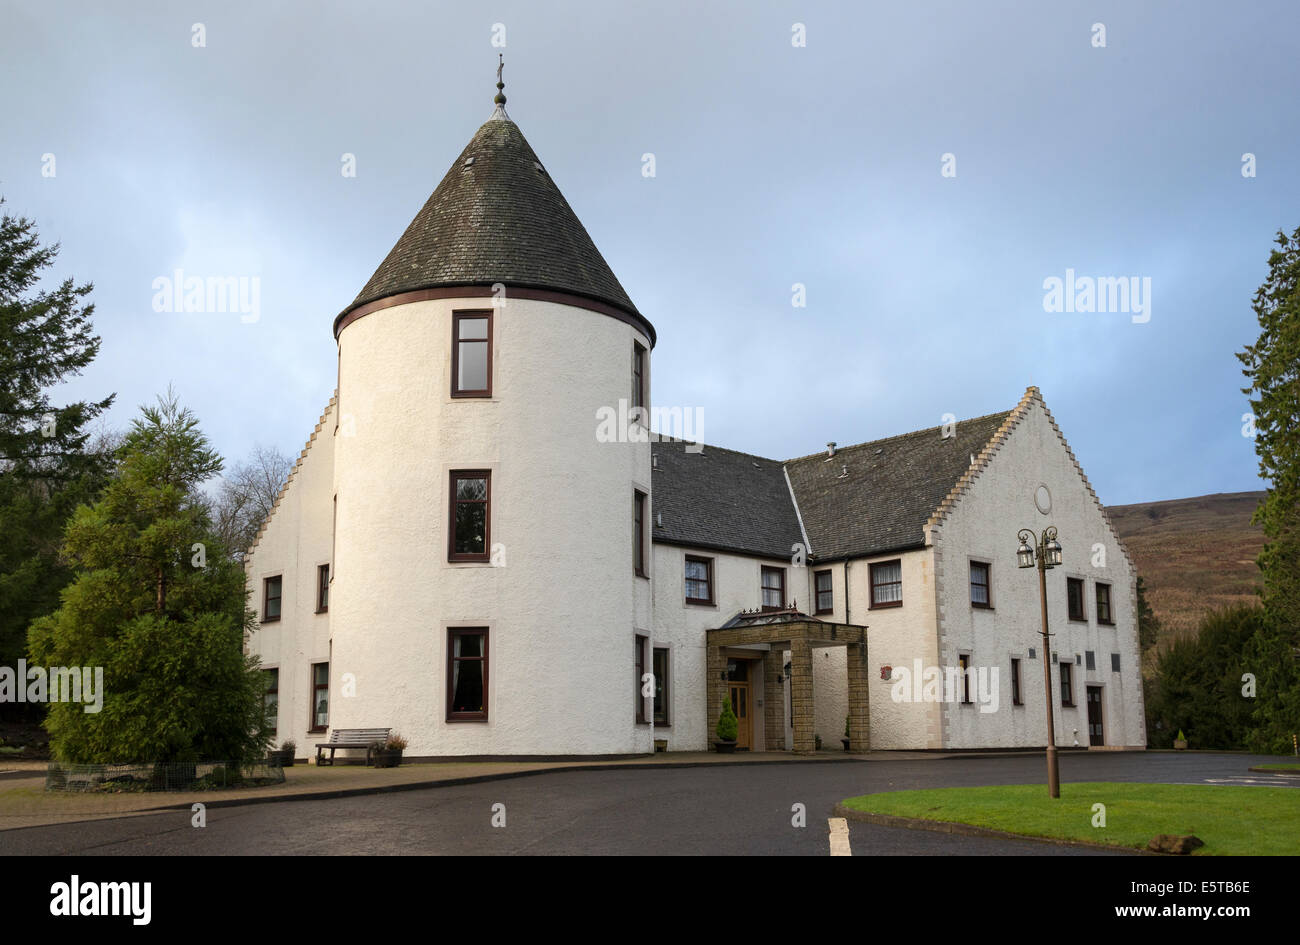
486	595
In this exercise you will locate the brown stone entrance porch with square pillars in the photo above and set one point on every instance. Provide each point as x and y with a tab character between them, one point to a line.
800	634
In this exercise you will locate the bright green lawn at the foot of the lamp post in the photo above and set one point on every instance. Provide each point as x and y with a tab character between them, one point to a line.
1232	820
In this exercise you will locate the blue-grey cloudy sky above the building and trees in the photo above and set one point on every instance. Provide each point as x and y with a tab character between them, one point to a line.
777	164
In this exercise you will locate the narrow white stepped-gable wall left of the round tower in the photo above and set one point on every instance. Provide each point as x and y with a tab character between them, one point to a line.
296	541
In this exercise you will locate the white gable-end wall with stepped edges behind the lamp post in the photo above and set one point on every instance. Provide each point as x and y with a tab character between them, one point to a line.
983	526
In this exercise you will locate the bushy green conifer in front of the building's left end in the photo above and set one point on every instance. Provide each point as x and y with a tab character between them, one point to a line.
162	606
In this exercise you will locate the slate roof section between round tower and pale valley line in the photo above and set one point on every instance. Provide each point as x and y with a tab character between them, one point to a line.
721	500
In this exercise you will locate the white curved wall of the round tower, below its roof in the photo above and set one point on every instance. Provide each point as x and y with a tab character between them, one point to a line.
565	609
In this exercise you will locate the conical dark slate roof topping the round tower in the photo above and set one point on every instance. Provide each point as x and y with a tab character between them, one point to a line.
499	218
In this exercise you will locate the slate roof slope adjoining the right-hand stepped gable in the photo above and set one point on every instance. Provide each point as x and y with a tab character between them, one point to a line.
890	491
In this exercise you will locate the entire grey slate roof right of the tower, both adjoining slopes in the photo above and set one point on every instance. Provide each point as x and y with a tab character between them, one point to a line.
870	498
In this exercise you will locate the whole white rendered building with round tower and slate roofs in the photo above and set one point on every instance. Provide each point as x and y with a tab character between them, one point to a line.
461	556
